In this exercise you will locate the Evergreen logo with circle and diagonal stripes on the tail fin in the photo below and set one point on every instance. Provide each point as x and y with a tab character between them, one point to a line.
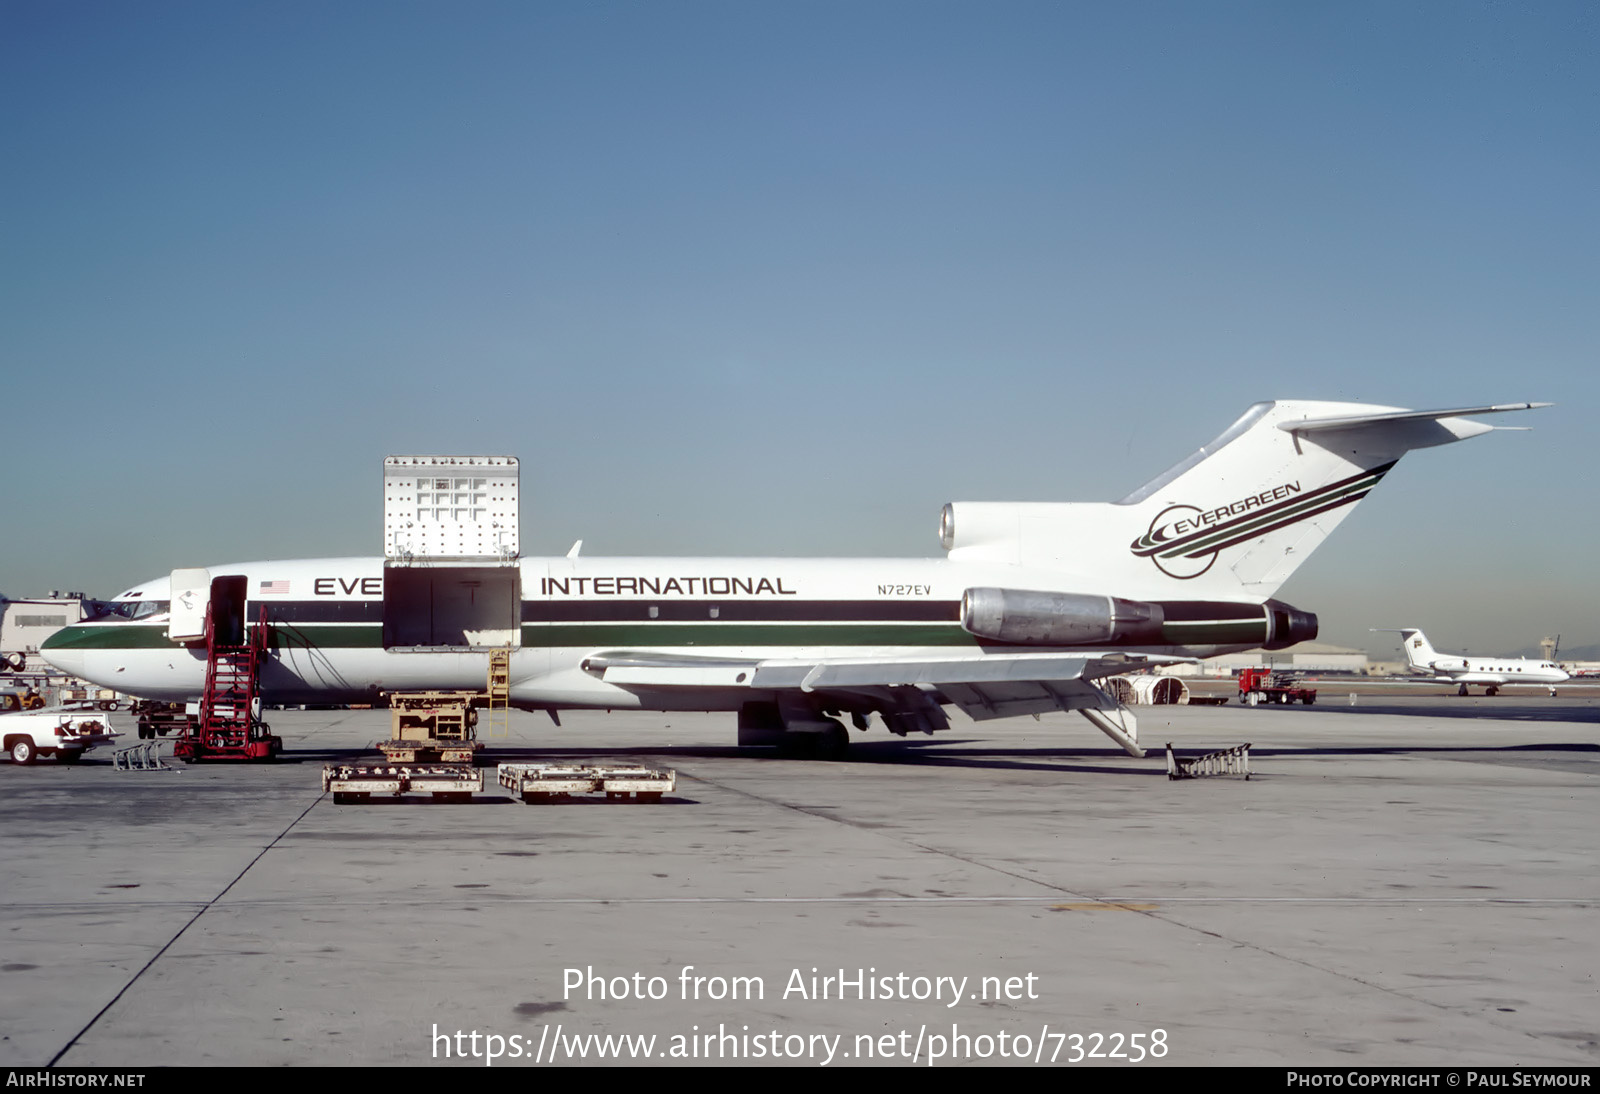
1185	541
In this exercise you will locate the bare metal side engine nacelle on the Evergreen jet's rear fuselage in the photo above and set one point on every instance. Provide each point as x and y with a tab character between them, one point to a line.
1058	620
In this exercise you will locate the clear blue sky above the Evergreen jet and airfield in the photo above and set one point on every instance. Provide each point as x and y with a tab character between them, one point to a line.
783	279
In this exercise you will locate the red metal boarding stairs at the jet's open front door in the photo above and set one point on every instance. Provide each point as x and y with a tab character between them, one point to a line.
228	727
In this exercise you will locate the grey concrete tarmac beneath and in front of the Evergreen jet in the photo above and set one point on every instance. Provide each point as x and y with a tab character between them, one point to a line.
1406	882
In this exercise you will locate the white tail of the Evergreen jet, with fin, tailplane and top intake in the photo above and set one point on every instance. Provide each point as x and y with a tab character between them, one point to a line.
1231	522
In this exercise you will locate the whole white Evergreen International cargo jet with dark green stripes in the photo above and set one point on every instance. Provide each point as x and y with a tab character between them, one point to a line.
1031	605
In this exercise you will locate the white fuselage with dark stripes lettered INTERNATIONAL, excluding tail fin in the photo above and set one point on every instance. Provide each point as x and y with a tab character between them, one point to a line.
335	637
